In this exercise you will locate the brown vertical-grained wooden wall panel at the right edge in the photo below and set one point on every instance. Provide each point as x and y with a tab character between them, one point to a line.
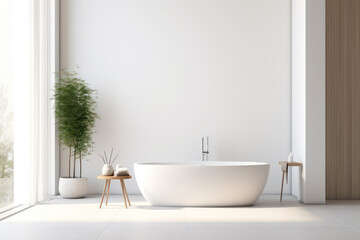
343	99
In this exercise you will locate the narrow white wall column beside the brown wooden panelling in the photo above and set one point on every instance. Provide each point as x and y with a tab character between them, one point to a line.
308	99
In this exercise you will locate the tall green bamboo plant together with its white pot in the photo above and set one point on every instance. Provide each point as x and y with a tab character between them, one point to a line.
75	113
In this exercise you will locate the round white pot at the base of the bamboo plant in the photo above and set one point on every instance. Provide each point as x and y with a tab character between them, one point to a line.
73	187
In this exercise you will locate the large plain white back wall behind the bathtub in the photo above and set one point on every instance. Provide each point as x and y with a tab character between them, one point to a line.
170	72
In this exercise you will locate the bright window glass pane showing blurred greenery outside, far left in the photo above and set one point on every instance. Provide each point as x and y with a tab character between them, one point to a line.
6	107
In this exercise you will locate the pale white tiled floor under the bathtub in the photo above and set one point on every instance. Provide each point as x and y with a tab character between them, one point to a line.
269	219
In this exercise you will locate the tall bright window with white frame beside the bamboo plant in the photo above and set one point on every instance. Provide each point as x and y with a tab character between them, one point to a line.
27	128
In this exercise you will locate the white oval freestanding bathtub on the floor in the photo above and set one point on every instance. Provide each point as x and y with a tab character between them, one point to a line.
201	183
